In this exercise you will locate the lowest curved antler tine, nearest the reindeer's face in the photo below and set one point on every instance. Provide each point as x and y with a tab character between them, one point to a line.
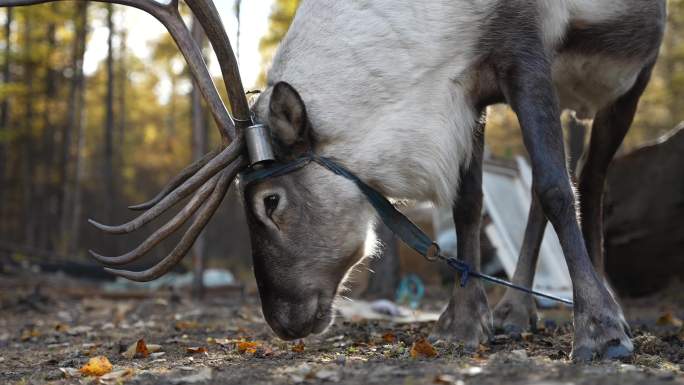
206	212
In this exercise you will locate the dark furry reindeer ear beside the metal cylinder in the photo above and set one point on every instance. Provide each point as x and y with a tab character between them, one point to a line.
287	118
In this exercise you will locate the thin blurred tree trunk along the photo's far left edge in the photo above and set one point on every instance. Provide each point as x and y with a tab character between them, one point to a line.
4	117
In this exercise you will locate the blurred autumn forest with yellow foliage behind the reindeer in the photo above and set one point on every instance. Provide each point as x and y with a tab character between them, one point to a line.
75	146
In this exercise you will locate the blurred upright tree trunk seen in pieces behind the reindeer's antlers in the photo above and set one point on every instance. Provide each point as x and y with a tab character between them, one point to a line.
199	148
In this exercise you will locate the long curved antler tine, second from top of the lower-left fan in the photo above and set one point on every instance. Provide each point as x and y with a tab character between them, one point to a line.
219	162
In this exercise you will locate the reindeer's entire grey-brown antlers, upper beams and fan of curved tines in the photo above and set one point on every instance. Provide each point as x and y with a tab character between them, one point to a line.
210	177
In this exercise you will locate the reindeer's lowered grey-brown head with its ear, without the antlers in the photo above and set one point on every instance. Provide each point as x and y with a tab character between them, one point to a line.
308	227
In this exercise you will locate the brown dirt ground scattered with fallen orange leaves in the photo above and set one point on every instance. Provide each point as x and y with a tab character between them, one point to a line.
48	332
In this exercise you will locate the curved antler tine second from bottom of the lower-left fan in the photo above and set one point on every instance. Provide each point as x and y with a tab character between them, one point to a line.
162	233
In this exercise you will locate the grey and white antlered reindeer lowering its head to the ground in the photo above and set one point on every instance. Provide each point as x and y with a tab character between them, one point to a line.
396	92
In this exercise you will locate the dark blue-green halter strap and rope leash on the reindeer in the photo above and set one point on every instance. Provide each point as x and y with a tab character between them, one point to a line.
396	221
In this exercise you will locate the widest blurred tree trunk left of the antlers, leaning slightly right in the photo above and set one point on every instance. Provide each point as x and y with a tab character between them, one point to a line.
70	155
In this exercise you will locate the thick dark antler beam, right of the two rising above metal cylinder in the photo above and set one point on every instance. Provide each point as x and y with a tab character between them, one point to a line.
207	15
